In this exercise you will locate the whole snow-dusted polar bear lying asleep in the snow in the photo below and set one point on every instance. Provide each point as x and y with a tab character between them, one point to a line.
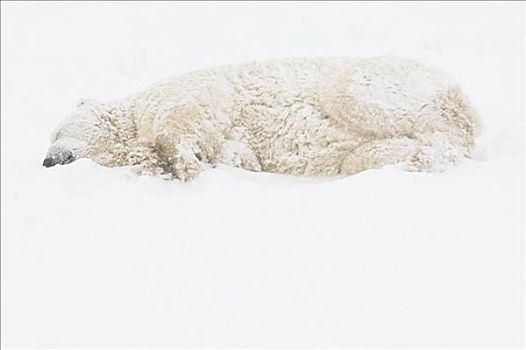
310	117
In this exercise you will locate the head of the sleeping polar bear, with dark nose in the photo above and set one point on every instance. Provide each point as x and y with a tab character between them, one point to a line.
93	130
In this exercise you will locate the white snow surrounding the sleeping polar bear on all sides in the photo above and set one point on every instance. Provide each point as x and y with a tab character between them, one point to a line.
94	257
